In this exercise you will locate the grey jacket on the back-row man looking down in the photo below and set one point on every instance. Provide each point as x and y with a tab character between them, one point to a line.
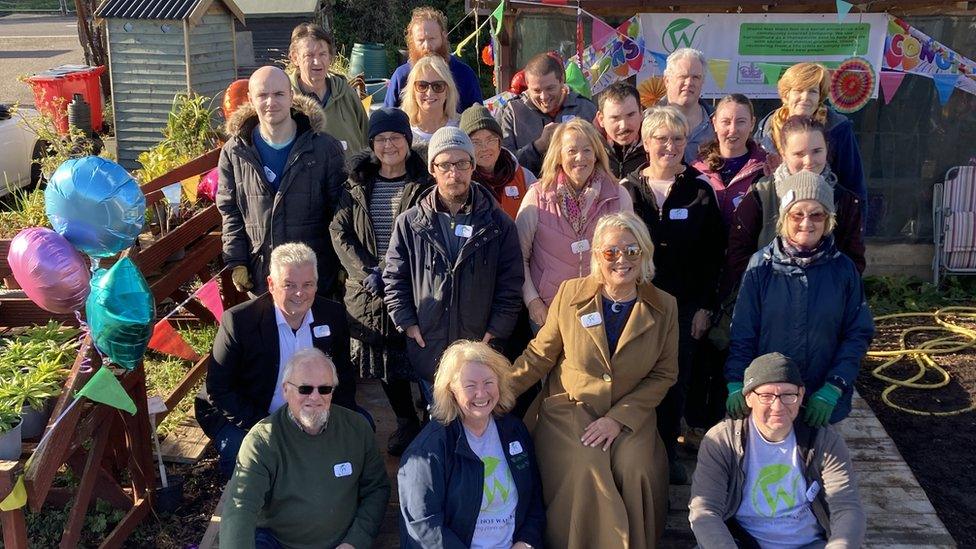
522	123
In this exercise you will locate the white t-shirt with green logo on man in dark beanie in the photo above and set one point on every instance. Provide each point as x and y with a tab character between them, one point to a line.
775	507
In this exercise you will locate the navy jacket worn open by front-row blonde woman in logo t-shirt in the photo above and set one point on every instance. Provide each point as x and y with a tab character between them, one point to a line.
441	482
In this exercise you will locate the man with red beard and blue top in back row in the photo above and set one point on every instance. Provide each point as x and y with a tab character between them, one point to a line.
426	34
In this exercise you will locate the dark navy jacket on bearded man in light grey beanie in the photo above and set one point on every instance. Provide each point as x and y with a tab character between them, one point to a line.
481	292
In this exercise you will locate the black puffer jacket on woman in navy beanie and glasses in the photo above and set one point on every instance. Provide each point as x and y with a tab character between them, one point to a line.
355	243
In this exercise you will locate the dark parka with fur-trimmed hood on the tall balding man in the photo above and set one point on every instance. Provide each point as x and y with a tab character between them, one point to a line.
256	218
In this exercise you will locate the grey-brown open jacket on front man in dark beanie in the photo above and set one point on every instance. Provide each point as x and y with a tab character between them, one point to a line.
716	491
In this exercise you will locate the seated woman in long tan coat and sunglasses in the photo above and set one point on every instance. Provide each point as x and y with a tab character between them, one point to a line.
609	347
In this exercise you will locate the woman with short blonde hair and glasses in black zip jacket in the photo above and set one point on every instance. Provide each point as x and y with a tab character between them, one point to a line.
680	209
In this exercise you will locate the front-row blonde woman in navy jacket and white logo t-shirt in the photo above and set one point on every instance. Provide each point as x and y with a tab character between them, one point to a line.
470	477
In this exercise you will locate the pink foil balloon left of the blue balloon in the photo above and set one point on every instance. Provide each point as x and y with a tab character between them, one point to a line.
49	269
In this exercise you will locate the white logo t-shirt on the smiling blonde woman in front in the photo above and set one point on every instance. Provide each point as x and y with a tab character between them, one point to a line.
495	527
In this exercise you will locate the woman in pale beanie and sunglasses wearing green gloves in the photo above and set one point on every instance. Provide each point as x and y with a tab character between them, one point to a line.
803	298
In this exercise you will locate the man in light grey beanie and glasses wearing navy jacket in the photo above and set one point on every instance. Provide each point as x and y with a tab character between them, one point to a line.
454	265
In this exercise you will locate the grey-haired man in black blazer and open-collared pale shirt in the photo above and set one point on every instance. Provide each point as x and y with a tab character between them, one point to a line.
255	341
